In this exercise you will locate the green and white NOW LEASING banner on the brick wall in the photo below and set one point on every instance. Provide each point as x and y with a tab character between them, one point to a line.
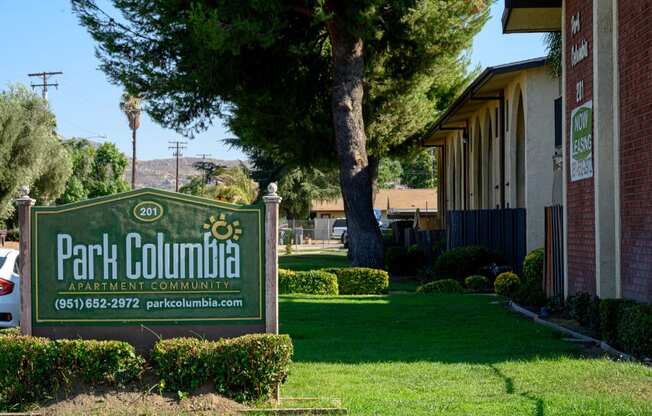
581	153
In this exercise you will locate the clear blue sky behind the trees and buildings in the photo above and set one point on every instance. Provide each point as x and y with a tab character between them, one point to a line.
40	35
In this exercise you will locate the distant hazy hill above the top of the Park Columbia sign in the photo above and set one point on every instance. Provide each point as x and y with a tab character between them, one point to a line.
159	173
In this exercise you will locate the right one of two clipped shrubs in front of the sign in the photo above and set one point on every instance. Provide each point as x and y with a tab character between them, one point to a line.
246	368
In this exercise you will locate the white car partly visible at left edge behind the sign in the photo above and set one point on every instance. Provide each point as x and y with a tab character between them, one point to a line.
9	288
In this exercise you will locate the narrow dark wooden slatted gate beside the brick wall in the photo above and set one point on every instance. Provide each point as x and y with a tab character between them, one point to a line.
553	269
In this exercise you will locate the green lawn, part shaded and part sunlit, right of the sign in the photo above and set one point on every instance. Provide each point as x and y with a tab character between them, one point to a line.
448	355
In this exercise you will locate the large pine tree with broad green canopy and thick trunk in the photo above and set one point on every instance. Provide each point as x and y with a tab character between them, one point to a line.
305	81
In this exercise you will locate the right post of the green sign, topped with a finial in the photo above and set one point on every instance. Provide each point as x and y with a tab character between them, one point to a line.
272	202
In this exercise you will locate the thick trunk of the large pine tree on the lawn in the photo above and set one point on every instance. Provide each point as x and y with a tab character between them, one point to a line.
365	240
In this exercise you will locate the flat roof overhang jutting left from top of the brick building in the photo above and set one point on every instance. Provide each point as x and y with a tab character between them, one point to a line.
528	16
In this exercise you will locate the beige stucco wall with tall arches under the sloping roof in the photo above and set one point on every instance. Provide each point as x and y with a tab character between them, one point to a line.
539	90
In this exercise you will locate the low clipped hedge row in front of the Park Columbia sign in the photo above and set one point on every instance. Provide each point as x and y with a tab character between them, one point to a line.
244	368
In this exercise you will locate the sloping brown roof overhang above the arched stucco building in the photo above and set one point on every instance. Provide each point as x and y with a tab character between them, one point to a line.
489	85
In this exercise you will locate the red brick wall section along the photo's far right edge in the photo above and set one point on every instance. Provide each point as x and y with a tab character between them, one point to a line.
635	67
